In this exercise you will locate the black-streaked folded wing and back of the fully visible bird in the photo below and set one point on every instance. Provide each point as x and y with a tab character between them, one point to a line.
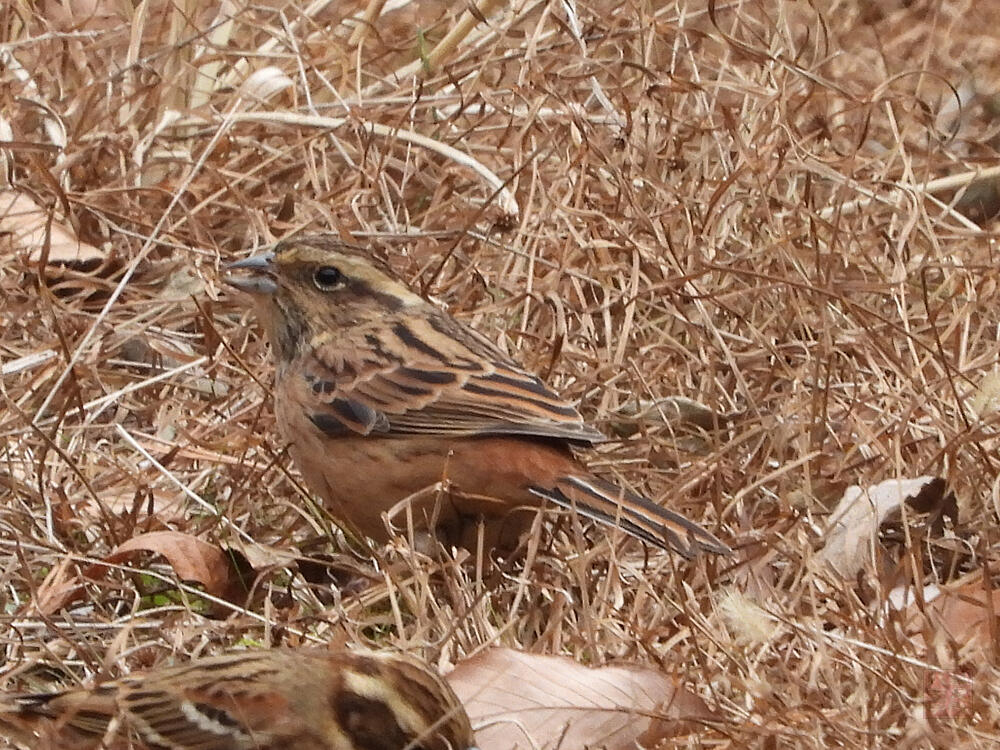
429	376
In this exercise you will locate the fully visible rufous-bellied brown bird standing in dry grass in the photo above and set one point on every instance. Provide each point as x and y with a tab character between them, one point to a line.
381	395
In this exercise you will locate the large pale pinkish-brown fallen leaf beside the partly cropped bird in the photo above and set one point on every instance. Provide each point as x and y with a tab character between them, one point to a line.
520	700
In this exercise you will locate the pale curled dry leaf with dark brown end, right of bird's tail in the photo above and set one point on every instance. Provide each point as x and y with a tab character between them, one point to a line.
853	529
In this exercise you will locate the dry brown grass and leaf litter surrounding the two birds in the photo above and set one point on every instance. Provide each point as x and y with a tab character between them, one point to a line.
770	209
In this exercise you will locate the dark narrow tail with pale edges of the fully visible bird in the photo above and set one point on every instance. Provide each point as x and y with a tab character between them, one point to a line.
615	506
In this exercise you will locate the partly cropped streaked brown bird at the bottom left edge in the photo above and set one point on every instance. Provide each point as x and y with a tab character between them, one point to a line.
253	700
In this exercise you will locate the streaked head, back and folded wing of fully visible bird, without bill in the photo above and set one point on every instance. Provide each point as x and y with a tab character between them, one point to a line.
377	357
